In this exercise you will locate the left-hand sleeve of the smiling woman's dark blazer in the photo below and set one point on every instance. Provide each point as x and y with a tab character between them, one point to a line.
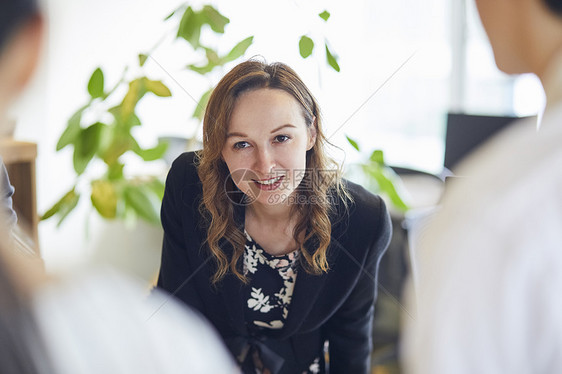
177	272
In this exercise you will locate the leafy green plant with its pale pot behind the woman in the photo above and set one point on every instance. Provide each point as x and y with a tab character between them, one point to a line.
101	134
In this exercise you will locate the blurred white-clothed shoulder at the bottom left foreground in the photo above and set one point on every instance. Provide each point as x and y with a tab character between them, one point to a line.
104	322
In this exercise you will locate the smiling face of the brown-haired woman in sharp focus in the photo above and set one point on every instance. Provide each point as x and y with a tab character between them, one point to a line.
266	144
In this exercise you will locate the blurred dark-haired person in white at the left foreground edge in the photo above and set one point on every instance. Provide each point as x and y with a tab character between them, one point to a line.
97	322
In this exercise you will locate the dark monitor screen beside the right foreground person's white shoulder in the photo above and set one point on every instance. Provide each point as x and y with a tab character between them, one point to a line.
465	132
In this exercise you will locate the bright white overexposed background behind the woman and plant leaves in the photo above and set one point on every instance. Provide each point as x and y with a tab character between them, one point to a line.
404	64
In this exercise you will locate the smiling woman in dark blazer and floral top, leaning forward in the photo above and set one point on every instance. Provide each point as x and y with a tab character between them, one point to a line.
263	236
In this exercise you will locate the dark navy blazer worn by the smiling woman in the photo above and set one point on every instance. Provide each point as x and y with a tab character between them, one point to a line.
336	306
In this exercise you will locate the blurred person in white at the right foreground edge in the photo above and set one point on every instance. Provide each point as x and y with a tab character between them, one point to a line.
491	264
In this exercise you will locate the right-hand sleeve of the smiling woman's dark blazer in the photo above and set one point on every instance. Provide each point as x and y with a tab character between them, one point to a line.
349	331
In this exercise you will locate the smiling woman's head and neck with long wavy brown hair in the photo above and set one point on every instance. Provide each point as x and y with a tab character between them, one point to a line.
249	110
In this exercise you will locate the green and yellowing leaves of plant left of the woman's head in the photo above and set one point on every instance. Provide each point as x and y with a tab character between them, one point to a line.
107	137
